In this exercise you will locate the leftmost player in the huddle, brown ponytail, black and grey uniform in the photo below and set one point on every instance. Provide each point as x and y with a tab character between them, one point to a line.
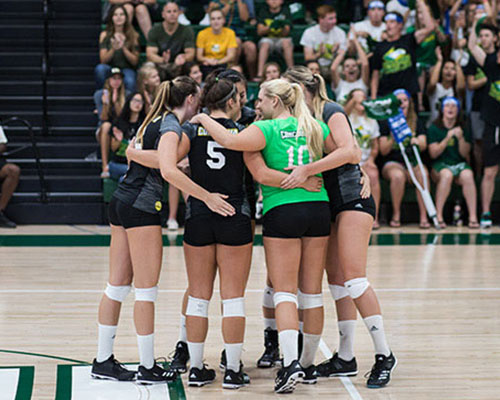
136	240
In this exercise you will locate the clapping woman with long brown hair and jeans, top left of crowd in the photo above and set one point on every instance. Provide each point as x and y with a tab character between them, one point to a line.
119	48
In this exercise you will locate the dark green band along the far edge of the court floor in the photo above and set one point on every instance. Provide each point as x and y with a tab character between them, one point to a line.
380	239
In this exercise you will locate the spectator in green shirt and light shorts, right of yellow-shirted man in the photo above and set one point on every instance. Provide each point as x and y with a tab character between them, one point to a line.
273	27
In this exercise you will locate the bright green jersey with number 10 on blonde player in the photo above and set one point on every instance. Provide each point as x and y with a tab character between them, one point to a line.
284	148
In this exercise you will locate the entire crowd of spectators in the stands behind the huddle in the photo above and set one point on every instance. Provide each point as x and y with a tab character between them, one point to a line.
440	58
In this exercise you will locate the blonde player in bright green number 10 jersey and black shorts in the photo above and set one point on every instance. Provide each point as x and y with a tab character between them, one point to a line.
296	222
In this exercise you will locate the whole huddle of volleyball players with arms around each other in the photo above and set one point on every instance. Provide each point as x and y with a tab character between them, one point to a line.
318	214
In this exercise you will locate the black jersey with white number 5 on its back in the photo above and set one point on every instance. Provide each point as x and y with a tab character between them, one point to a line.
216	168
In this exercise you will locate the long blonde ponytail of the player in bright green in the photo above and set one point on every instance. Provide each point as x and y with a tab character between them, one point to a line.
306	123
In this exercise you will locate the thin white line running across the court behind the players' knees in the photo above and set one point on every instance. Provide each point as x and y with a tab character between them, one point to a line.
493	289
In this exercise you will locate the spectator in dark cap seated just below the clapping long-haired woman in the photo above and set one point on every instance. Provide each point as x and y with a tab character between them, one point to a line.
109	103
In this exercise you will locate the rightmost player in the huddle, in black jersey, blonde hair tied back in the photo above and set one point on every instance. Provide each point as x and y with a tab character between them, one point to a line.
352	221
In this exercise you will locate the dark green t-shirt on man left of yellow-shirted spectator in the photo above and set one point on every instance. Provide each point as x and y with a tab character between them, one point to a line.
181	39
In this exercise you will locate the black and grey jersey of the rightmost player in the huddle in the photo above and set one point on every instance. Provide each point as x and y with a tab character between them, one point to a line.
342	183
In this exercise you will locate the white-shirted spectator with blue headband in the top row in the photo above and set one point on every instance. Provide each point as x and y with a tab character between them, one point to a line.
371	29
